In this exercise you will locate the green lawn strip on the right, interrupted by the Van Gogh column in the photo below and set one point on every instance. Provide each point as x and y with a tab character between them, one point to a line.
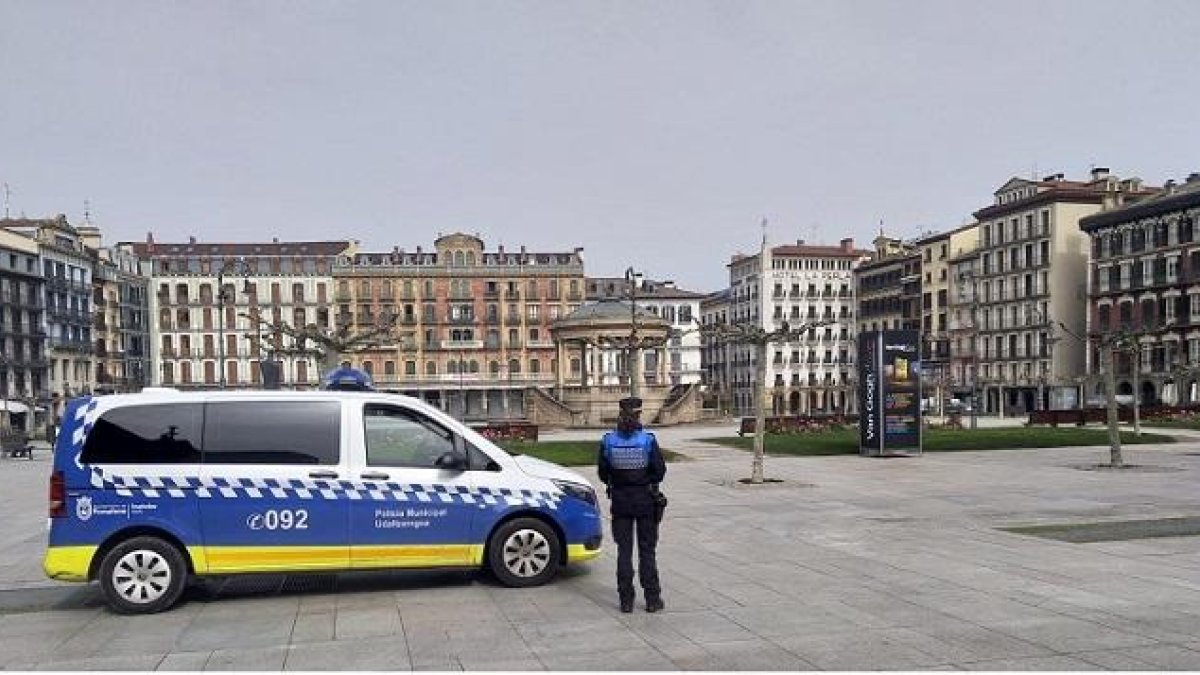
845	441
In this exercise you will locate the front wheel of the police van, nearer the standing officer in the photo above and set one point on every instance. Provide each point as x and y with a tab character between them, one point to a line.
524	553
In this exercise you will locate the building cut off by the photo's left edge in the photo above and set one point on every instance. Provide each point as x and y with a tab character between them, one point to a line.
25	378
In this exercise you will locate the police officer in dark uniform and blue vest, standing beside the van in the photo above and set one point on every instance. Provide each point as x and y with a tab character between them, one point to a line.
632	467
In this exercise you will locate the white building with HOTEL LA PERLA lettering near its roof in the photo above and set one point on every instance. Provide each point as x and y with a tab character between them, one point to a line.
796	285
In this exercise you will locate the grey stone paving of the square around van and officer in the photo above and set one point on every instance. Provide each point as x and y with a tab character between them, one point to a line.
850	564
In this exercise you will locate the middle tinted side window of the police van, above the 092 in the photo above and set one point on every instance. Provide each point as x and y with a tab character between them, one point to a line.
273	433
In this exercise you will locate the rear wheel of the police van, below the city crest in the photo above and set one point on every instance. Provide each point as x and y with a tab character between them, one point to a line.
143	576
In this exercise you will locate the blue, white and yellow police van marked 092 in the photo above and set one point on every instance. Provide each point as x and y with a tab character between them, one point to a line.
151	489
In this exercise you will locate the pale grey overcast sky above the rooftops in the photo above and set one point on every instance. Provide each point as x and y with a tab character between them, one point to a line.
653	135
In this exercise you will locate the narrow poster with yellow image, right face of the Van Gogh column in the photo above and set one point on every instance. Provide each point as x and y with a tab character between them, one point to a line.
901	351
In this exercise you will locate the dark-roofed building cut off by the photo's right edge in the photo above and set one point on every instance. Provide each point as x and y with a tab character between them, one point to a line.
1145	283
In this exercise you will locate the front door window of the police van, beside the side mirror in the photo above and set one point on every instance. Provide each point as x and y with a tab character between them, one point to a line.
401	438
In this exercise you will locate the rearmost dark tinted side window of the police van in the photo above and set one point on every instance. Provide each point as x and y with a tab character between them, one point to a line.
164	434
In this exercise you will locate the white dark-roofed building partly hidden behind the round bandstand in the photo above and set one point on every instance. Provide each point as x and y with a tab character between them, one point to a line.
677	307
